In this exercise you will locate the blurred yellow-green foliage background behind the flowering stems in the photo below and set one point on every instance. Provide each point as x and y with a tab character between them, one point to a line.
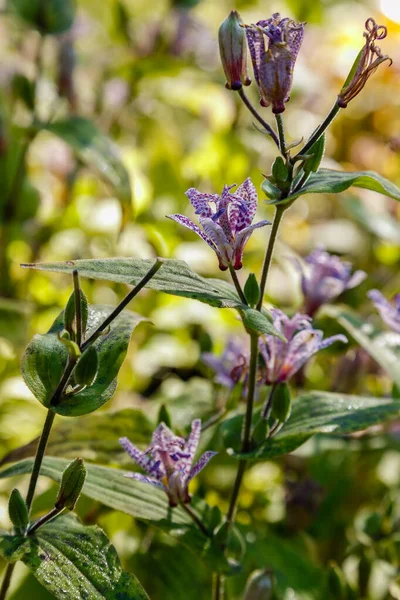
148	75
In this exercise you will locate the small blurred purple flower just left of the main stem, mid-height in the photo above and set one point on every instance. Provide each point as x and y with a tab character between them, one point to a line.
232	366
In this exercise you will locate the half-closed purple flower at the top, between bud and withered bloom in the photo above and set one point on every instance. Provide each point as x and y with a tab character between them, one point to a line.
274	45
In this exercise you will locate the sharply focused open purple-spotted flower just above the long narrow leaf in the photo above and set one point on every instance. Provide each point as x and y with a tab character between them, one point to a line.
227	228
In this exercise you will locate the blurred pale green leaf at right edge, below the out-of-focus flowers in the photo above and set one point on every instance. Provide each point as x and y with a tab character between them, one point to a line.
378	345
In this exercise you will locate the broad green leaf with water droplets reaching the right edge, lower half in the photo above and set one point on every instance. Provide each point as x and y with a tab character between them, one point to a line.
324	413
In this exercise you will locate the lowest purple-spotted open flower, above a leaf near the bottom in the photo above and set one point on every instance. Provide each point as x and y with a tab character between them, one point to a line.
168	461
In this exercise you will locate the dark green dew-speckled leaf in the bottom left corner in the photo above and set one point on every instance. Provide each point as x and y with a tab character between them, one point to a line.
75	561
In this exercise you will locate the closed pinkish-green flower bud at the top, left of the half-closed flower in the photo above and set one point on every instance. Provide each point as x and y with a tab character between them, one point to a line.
233	49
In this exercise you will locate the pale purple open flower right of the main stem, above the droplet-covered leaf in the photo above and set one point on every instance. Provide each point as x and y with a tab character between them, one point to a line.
284	359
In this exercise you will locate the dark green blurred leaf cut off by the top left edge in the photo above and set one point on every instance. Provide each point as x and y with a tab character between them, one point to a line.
48	16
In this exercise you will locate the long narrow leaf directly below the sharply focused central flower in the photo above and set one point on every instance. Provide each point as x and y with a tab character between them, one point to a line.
175	277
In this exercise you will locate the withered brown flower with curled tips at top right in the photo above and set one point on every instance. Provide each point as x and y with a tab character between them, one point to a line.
366	63
